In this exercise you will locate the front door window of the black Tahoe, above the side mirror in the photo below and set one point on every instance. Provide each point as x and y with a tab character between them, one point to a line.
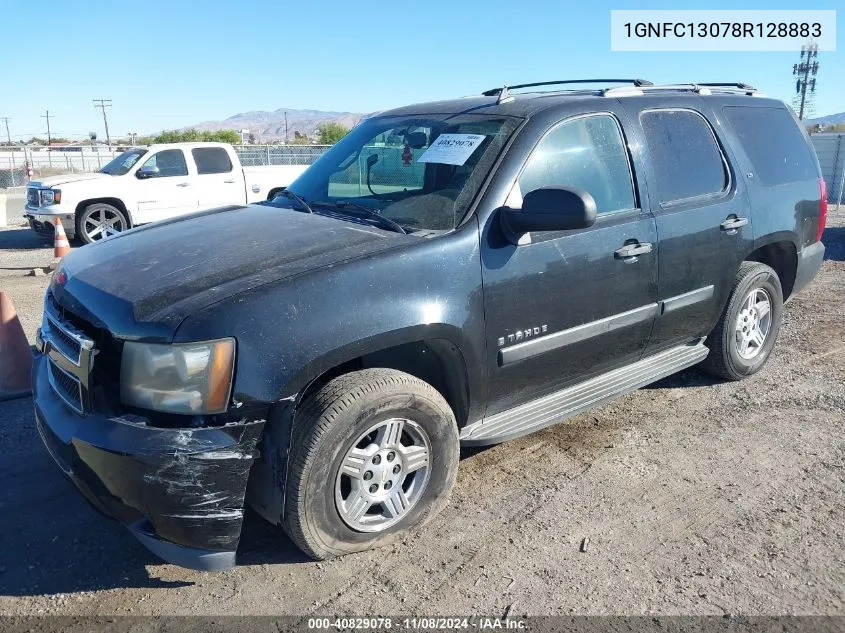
587	153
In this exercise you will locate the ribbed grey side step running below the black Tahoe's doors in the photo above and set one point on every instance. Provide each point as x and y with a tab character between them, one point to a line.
561	405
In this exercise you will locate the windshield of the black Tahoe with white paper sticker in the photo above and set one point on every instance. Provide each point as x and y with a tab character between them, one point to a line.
422	171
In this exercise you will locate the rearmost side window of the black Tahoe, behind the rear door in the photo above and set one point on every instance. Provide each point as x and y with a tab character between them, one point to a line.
773	143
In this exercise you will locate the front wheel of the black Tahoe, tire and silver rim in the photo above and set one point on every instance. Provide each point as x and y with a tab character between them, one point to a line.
374	454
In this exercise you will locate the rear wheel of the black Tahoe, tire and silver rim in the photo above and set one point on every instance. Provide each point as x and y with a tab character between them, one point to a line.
743	339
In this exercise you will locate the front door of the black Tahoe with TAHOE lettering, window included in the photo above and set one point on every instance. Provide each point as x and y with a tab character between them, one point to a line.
562	306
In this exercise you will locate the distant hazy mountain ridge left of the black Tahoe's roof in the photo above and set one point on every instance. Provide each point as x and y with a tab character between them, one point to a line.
268	126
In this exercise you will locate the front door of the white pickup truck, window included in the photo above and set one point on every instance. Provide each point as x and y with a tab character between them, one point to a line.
167	193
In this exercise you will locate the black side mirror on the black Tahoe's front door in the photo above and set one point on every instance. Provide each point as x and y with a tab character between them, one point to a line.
549	209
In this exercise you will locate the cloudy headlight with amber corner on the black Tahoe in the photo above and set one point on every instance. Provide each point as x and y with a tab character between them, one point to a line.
191	378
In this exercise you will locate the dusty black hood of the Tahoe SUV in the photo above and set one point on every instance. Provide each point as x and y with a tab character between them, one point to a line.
142	283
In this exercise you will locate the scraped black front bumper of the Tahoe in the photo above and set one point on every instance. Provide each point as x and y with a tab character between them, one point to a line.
180	491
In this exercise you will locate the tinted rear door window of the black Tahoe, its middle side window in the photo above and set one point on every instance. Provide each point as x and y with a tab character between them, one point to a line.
686	158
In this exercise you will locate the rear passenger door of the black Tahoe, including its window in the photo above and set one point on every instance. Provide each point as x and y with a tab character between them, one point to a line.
701	208
